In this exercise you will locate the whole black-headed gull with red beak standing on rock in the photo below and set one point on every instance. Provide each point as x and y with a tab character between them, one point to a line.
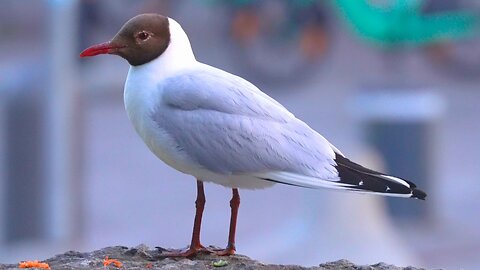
221	128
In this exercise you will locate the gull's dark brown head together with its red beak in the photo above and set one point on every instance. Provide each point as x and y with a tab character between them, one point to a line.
140	40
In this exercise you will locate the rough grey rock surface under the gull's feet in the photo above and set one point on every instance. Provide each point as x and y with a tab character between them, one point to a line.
141	257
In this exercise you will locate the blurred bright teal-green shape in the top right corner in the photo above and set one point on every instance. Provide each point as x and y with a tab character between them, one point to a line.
401	22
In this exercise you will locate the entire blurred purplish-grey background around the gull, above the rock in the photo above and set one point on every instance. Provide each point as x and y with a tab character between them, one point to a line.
394	84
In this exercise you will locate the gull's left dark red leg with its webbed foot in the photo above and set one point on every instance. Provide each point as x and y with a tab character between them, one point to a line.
195	245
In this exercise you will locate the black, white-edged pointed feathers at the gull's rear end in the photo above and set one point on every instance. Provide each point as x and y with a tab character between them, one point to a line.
355	177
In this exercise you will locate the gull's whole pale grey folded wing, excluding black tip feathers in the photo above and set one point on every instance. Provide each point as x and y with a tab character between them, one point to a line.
227	127
